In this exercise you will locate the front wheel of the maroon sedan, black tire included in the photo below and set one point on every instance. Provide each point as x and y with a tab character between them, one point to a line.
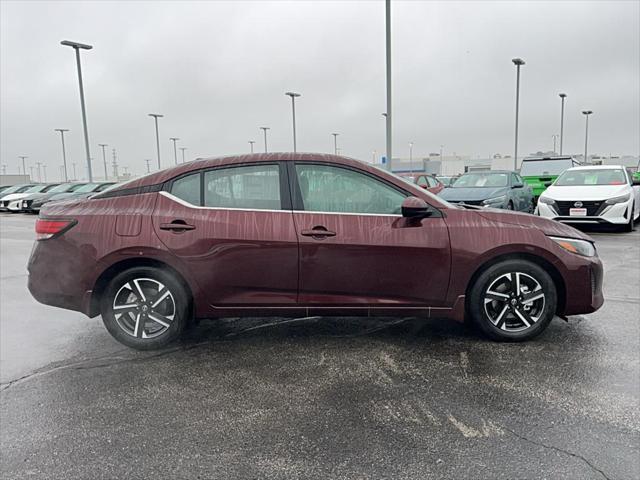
509	326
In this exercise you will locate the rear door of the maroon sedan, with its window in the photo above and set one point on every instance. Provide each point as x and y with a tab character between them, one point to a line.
239	257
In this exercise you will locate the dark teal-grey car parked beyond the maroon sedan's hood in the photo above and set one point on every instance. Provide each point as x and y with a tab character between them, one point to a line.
495	189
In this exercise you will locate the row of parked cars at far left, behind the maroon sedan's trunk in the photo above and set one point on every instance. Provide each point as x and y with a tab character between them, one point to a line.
30	197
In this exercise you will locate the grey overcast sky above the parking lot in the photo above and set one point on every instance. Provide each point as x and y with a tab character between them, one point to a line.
218	70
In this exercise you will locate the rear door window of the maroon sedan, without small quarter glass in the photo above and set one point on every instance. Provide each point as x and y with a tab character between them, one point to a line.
254	187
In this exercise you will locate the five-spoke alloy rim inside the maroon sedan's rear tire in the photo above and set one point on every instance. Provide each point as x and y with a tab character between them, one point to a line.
144	308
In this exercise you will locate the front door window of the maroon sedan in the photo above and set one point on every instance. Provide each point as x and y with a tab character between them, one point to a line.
326	188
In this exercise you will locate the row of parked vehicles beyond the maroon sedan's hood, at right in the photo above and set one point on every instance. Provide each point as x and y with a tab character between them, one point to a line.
553	187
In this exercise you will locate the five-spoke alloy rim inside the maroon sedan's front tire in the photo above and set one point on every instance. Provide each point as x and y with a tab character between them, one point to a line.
514	302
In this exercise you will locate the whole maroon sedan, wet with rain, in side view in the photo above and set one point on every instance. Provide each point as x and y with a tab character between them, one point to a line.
299	235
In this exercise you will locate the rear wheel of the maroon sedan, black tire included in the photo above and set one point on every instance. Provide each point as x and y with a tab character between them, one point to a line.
172	310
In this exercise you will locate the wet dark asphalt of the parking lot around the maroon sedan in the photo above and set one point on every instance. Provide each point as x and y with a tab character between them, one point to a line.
320	398
